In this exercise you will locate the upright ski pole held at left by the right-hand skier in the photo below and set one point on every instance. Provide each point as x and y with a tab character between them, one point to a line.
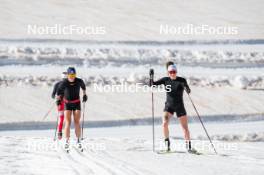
151	74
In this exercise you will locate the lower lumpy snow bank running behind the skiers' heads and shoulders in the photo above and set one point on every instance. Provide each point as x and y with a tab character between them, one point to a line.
241	82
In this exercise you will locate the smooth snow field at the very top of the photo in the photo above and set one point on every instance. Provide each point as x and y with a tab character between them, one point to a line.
130	20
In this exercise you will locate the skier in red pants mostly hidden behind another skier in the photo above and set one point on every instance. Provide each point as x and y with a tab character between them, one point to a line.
60	107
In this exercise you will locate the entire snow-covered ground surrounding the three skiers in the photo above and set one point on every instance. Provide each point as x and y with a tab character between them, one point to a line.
225	73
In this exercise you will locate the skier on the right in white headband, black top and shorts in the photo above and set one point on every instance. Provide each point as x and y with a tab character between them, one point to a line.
174	86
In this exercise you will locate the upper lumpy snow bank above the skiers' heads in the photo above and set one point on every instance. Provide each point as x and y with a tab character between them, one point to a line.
103	56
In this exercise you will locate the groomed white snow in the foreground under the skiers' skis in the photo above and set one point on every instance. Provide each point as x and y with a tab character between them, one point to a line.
128	150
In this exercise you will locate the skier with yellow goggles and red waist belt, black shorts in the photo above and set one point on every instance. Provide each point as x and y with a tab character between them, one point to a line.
69	92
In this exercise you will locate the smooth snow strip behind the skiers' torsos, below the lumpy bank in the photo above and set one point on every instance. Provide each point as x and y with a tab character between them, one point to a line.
31	103
